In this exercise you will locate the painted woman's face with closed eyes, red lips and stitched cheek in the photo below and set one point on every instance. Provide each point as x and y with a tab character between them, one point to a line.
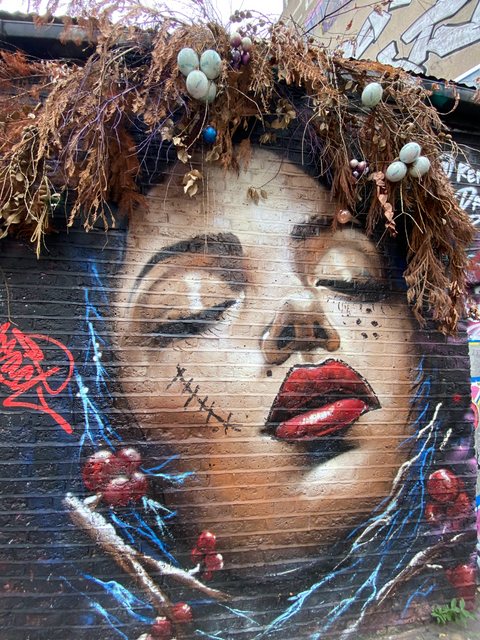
270	354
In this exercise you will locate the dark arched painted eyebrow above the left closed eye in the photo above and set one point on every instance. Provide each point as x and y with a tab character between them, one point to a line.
225	246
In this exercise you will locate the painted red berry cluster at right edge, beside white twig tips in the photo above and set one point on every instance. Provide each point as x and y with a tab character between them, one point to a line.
449	499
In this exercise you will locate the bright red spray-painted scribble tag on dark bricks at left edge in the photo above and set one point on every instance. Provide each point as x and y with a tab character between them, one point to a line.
24	368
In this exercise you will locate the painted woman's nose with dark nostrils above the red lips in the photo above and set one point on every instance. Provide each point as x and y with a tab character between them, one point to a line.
299	325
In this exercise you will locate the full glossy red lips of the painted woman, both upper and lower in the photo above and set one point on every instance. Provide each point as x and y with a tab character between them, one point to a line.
319	401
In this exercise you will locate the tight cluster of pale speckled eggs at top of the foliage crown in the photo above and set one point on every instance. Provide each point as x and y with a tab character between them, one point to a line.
200	73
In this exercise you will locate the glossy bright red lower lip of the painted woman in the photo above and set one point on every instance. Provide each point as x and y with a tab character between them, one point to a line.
323	421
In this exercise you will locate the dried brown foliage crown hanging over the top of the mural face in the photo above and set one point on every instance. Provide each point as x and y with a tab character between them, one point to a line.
67	134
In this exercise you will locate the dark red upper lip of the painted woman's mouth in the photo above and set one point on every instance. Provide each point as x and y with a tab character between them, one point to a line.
310	387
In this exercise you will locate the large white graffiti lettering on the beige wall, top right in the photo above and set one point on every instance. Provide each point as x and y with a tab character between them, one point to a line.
427	34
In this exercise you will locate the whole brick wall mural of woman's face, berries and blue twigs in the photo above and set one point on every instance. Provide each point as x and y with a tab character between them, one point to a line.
224	422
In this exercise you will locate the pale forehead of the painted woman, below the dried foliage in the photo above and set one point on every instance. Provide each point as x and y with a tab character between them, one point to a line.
221	204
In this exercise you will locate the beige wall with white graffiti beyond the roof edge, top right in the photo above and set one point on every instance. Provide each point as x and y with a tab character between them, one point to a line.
426	39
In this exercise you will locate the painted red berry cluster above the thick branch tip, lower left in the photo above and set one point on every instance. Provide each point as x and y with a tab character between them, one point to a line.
116	476
